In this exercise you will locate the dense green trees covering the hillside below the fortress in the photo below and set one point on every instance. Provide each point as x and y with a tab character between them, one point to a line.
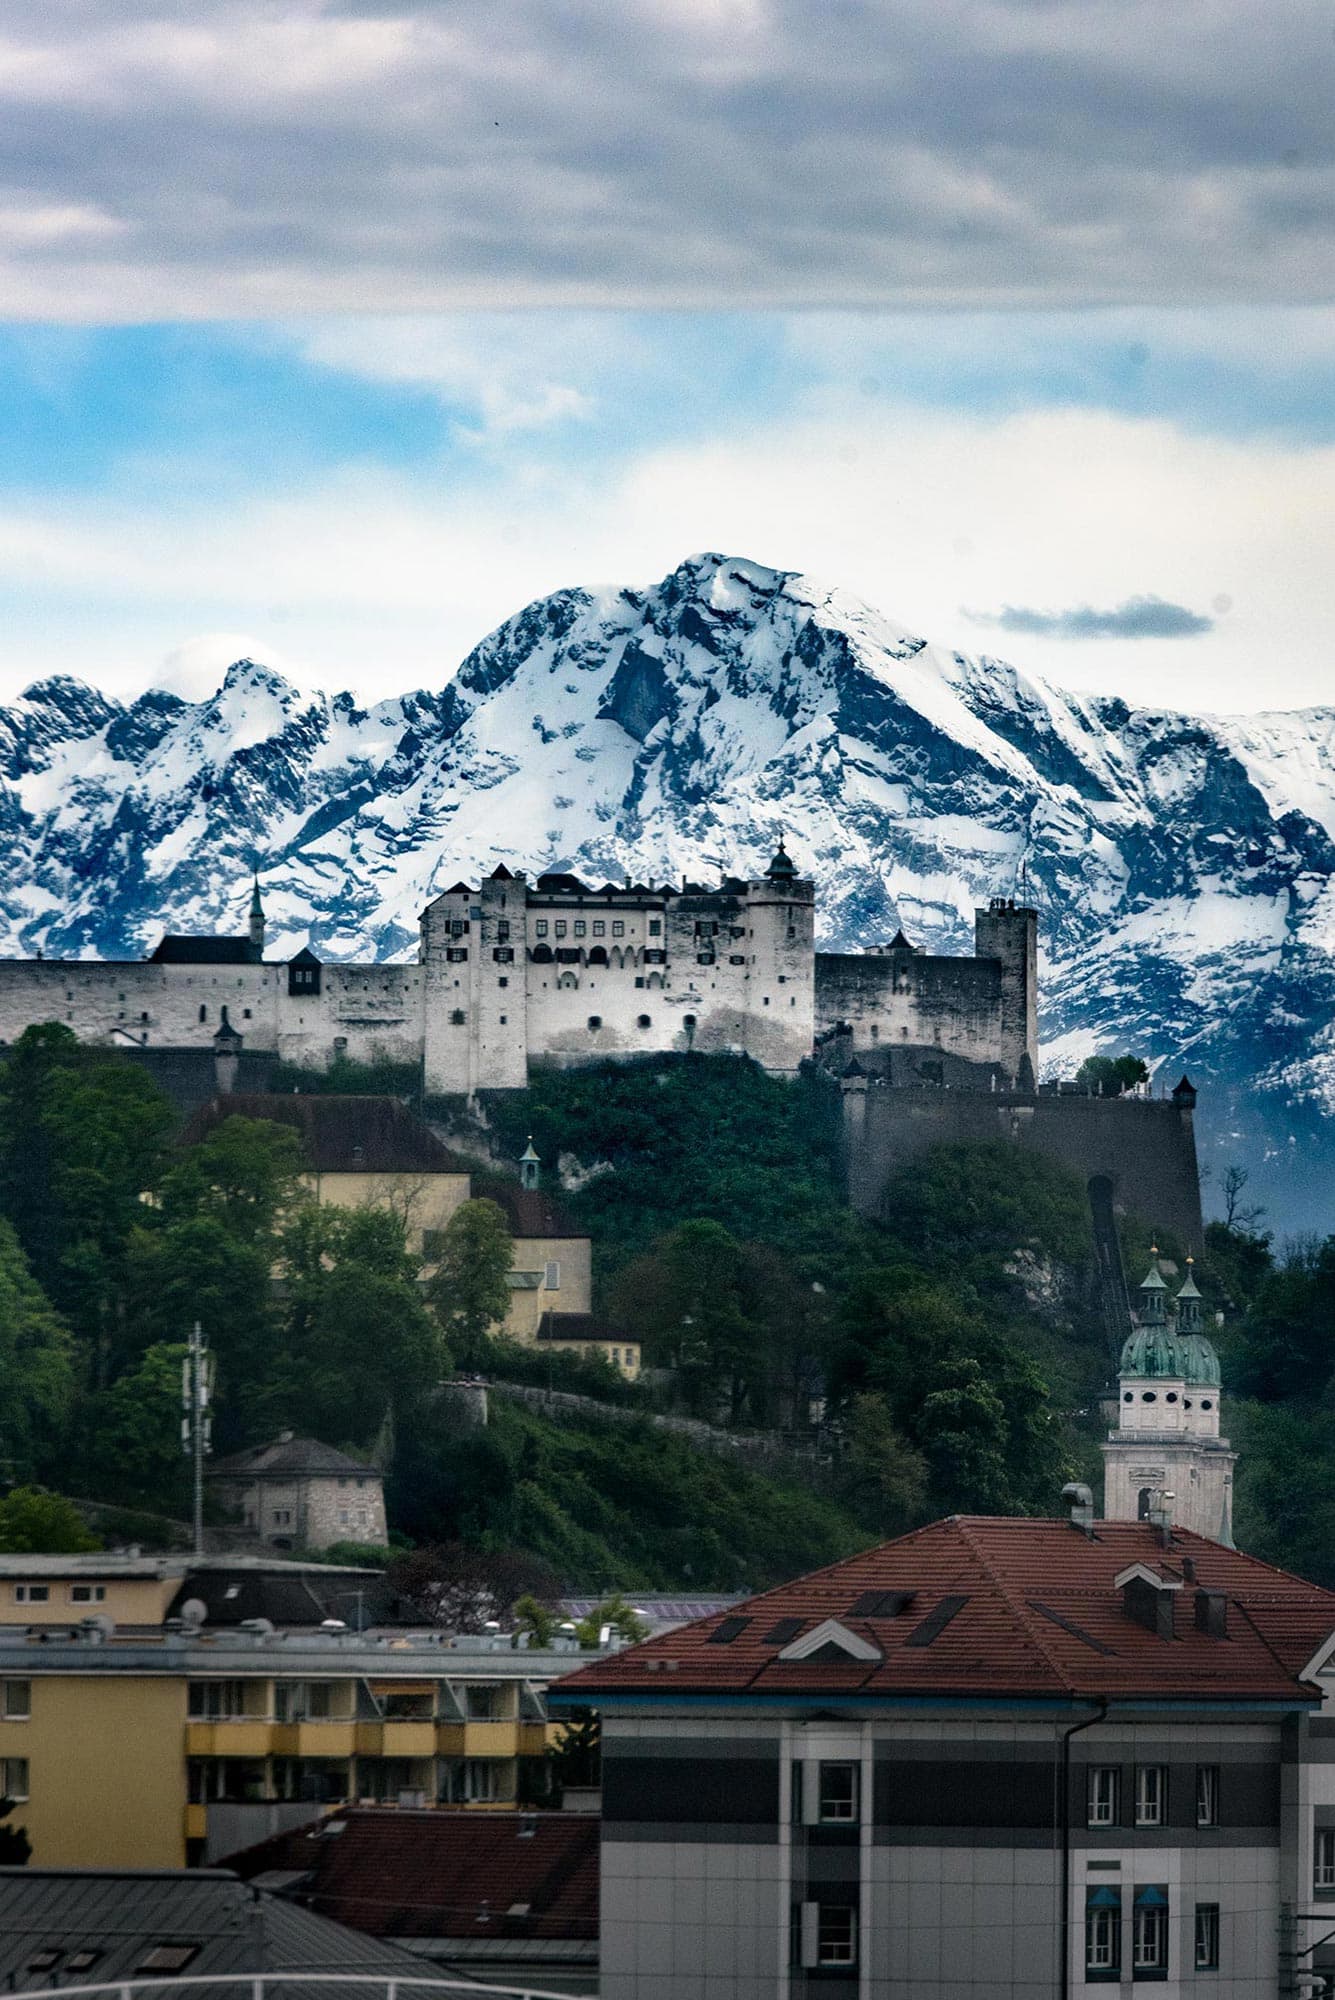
954	1353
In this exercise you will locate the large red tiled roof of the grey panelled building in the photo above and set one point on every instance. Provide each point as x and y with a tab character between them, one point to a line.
998	1607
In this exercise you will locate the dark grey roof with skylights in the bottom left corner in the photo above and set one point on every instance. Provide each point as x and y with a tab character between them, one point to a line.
125	1913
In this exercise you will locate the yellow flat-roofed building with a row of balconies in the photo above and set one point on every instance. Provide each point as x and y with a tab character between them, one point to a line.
165	1745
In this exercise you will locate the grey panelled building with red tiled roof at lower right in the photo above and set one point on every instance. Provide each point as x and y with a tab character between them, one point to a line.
1008	1759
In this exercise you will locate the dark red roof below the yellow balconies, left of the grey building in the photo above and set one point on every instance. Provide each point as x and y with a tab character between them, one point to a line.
445	1875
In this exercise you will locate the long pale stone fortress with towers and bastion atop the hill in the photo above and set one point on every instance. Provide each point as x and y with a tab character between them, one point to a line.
519	973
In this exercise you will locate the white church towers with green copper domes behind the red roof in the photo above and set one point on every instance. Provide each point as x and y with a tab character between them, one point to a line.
1168	1419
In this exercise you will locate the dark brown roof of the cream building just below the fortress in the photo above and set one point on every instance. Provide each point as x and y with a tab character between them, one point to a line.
341	1135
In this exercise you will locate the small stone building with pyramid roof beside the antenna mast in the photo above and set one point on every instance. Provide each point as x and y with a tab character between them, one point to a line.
299	1493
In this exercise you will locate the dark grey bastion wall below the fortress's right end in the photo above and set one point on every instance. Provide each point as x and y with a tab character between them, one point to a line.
1146	1147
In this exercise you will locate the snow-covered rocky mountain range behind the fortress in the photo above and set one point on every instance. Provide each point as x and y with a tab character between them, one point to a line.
1182	863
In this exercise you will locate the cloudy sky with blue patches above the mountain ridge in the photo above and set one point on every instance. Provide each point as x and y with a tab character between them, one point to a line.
335	333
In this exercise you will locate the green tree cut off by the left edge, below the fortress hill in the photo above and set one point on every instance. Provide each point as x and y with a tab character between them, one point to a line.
37	1367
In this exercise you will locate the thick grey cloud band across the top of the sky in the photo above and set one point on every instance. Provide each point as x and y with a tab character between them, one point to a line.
283	157
